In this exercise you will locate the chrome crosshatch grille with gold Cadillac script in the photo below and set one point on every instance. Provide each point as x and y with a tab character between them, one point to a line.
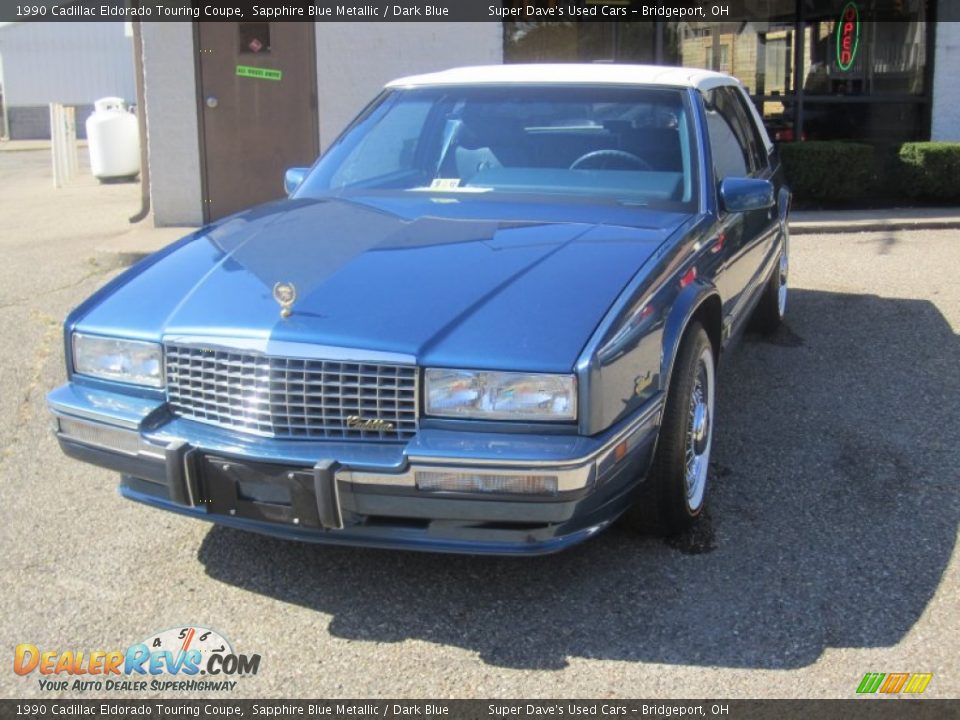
291	397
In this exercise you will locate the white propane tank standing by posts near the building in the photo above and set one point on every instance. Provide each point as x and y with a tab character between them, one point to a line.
113	136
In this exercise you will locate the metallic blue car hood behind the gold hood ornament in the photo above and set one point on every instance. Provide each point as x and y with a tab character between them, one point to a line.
453	282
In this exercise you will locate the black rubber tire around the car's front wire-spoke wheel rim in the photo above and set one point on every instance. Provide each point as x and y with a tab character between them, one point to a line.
663	505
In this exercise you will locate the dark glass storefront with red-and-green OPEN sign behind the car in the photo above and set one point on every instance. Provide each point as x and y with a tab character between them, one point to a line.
816	69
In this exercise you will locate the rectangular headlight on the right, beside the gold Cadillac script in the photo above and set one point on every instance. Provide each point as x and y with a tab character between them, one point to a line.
486	395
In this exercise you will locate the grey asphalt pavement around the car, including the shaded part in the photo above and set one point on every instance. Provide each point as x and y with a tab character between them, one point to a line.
829	549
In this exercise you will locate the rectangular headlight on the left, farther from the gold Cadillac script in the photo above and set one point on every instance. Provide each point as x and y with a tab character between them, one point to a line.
130	361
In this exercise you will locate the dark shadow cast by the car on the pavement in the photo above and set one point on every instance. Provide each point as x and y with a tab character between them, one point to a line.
833	517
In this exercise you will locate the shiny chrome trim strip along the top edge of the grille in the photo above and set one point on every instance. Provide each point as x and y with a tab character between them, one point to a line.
282	348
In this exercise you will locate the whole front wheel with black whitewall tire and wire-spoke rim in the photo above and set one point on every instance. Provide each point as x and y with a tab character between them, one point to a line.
674	493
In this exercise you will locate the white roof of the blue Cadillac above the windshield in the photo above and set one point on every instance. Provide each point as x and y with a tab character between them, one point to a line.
600	73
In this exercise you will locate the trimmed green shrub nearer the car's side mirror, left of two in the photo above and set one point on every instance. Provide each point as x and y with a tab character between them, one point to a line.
831	171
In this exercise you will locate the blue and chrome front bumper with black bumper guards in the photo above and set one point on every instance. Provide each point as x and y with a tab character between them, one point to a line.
358	493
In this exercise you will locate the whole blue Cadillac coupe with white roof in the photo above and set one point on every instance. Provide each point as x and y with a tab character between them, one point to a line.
487	320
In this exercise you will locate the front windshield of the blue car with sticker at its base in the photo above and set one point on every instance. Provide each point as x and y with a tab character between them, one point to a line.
631	145
